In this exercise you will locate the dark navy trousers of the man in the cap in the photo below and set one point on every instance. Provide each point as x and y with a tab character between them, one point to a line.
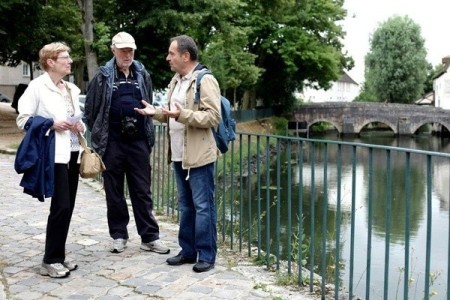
131	159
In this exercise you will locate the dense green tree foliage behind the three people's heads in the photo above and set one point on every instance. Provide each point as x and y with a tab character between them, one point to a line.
257	49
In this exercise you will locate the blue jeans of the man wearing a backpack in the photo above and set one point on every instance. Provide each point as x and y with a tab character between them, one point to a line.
198	232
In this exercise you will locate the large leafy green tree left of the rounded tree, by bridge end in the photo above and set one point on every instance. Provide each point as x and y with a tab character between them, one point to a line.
295	41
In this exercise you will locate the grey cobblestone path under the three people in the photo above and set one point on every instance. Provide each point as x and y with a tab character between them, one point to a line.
132	274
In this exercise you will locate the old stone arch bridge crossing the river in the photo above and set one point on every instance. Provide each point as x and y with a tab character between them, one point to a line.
351	117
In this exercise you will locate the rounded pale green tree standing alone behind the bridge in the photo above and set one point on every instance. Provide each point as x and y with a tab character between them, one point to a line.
396	66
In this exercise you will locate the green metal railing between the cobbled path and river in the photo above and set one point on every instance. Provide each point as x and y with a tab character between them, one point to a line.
356	217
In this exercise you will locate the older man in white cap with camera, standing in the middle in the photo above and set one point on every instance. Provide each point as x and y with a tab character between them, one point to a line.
124	139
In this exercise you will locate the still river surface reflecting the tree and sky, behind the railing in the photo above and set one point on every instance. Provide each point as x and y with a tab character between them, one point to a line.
318	174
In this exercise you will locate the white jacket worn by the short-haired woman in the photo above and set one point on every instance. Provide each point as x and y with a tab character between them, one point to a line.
43	98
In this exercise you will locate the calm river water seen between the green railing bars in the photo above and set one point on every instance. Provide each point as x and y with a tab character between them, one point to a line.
397	193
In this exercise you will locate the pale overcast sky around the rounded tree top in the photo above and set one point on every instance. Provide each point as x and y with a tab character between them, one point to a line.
364	17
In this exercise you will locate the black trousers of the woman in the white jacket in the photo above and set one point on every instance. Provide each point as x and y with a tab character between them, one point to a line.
61	209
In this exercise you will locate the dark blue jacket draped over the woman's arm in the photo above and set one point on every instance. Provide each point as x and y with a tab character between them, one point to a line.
35	158
